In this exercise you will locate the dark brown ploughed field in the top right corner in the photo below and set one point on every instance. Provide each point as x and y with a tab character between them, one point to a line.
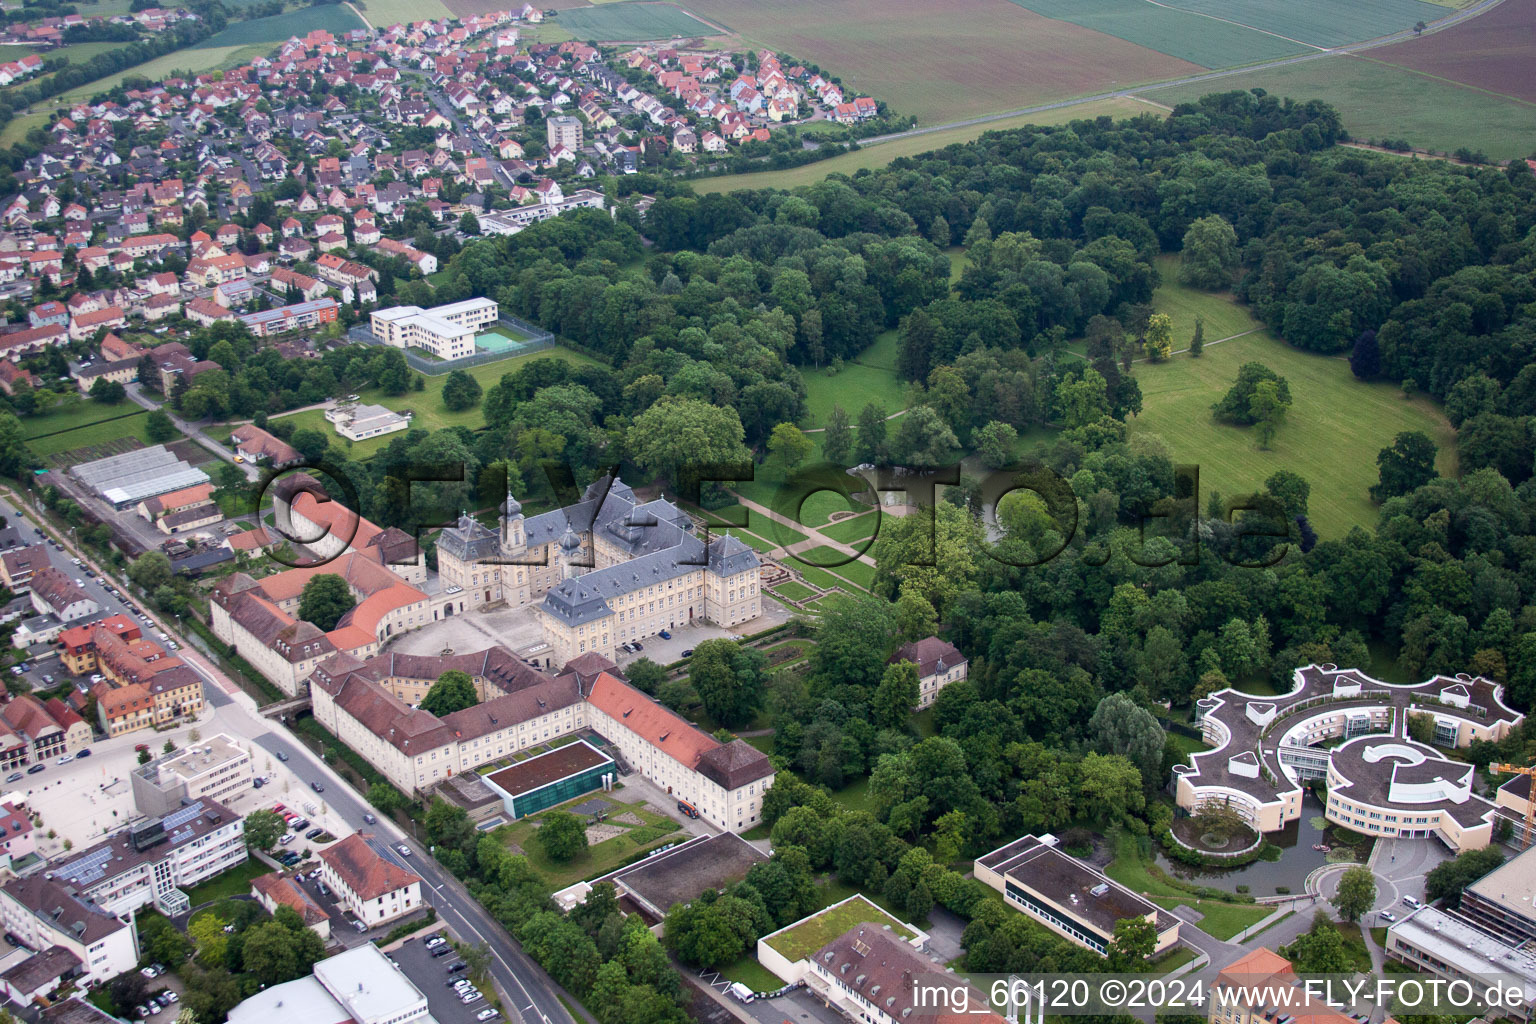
1494	51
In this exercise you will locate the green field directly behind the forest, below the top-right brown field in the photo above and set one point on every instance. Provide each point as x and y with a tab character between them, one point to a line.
1382	101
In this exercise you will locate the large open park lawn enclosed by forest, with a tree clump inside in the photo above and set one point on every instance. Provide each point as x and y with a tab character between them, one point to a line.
1331	437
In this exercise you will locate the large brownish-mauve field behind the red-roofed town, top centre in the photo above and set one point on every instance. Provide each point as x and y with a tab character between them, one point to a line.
945	61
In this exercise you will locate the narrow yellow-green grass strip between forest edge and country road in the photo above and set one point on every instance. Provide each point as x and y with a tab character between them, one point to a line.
881	154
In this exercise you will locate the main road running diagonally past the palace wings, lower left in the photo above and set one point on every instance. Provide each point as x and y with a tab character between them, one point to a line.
532	993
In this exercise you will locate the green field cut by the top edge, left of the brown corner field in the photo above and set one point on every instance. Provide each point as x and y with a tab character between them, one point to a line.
1317	22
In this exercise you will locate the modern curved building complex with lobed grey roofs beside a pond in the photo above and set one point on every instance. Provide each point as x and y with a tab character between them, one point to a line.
1351	732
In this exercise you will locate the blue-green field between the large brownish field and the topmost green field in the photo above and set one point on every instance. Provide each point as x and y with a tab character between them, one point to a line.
1202	41
